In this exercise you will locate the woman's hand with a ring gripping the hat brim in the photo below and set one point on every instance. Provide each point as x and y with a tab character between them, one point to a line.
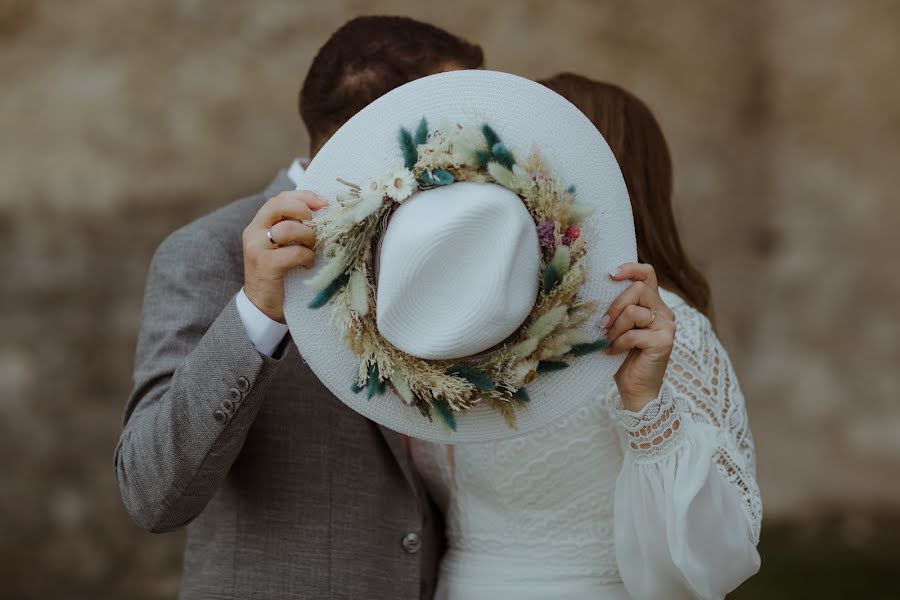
640	323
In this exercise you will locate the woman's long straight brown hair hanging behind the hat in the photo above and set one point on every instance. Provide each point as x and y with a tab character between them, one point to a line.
640	148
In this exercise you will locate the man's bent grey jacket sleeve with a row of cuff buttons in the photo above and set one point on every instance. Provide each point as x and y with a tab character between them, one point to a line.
198	384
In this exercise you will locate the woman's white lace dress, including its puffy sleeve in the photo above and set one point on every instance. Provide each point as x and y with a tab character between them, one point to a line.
608	504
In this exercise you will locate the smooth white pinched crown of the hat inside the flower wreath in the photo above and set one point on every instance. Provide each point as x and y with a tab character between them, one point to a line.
458	271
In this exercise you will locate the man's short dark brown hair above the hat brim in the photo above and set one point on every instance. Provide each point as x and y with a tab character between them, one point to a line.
370	56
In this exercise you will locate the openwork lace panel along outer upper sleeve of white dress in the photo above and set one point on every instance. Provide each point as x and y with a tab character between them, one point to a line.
702	377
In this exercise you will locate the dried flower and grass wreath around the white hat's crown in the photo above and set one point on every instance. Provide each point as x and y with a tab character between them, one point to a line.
548	336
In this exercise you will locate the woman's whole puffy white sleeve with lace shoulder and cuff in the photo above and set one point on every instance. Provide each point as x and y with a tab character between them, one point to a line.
687	505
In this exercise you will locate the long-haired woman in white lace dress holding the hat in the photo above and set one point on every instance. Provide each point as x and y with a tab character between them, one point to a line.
647	492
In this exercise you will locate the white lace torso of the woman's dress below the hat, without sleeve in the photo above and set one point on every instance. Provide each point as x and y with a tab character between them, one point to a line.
544	499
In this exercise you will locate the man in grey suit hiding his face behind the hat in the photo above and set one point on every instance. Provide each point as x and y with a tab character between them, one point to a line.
285	492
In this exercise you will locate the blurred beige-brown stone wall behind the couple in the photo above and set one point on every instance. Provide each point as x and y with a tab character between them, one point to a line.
121	120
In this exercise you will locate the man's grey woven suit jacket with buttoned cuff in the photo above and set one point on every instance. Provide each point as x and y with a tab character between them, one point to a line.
285	491
